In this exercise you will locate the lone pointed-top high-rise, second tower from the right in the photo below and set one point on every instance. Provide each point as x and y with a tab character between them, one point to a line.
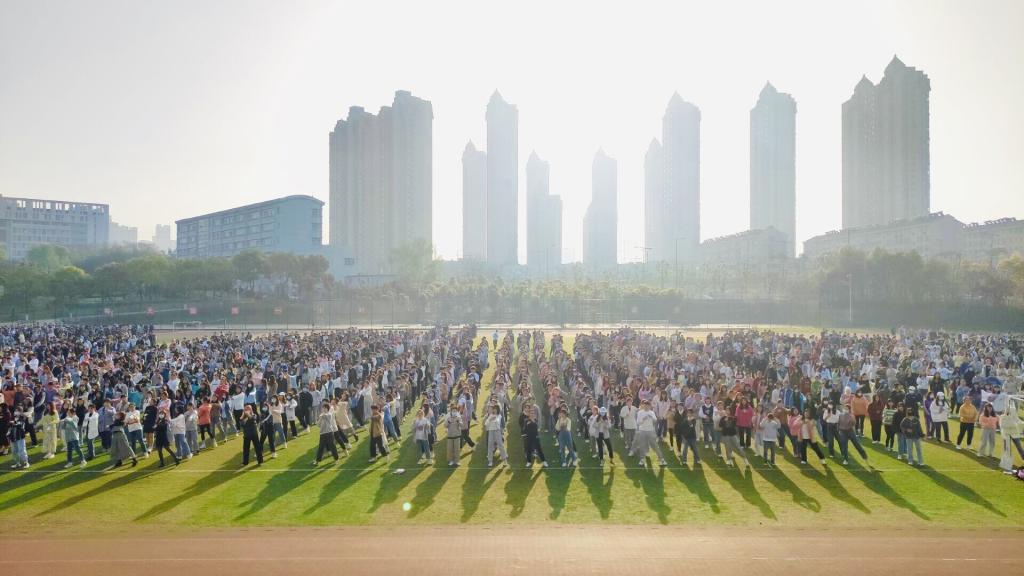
774	164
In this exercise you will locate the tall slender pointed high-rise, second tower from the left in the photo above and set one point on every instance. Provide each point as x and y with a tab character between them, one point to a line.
503	183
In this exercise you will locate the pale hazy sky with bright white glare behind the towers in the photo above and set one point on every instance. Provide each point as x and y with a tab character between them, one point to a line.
169	110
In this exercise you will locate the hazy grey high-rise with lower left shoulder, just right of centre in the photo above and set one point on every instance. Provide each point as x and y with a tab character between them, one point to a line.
601	224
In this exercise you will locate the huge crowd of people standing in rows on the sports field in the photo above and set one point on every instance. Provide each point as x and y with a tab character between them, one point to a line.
86	391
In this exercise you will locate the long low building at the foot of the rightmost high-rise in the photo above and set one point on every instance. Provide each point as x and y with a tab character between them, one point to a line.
932	236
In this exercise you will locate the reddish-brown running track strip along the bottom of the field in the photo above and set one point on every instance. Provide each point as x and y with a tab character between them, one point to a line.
510	550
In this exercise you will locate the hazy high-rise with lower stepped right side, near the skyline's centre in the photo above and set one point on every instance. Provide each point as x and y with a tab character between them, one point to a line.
544	218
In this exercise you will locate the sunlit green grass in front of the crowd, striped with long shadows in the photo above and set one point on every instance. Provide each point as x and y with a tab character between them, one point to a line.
955	490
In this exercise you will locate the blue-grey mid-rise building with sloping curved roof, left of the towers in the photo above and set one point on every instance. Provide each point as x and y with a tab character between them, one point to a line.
292	224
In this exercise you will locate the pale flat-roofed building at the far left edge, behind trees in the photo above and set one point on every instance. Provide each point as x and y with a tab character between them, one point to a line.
26	223
